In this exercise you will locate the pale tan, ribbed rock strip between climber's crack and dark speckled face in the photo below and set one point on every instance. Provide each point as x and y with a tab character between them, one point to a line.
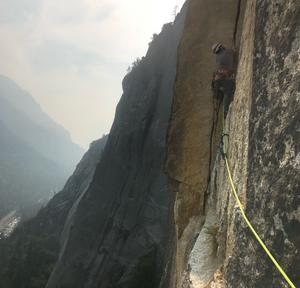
214	247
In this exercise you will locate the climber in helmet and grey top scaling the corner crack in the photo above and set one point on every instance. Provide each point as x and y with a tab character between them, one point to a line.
223	82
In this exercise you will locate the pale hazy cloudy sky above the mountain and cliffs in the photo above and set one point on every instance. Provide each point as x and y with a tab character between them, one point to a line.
72	55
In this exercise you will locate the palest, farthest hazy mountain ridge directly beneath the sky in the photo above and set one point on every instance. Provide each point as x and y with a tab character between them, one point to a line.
20	112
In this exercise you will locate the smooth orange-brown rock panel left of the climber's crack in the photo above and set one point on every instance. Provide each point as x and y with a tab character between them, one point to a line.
190	143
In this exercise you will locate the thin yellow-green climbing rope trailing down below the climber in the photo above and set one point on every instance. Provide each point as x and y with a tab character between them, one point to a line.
241	208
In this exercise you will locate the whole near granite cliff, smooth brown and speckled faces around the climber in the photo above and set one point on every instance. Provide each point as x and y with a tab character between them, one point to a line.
263	128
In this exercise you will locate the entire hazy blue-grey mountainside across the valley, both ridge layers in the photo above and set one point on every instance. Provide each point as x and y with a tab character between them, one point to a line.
36	154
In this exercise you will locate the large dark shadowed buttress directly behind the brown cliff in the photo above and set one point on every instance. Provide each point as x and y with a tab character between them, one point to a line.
121	224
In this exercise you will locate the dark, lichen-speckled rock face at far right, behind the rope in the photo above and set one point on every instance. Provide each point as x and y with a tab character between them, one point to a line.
272	191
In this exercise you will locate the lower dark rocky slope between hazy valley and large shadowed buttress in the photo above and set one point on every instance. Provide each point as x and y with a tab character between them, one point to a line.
29	254
